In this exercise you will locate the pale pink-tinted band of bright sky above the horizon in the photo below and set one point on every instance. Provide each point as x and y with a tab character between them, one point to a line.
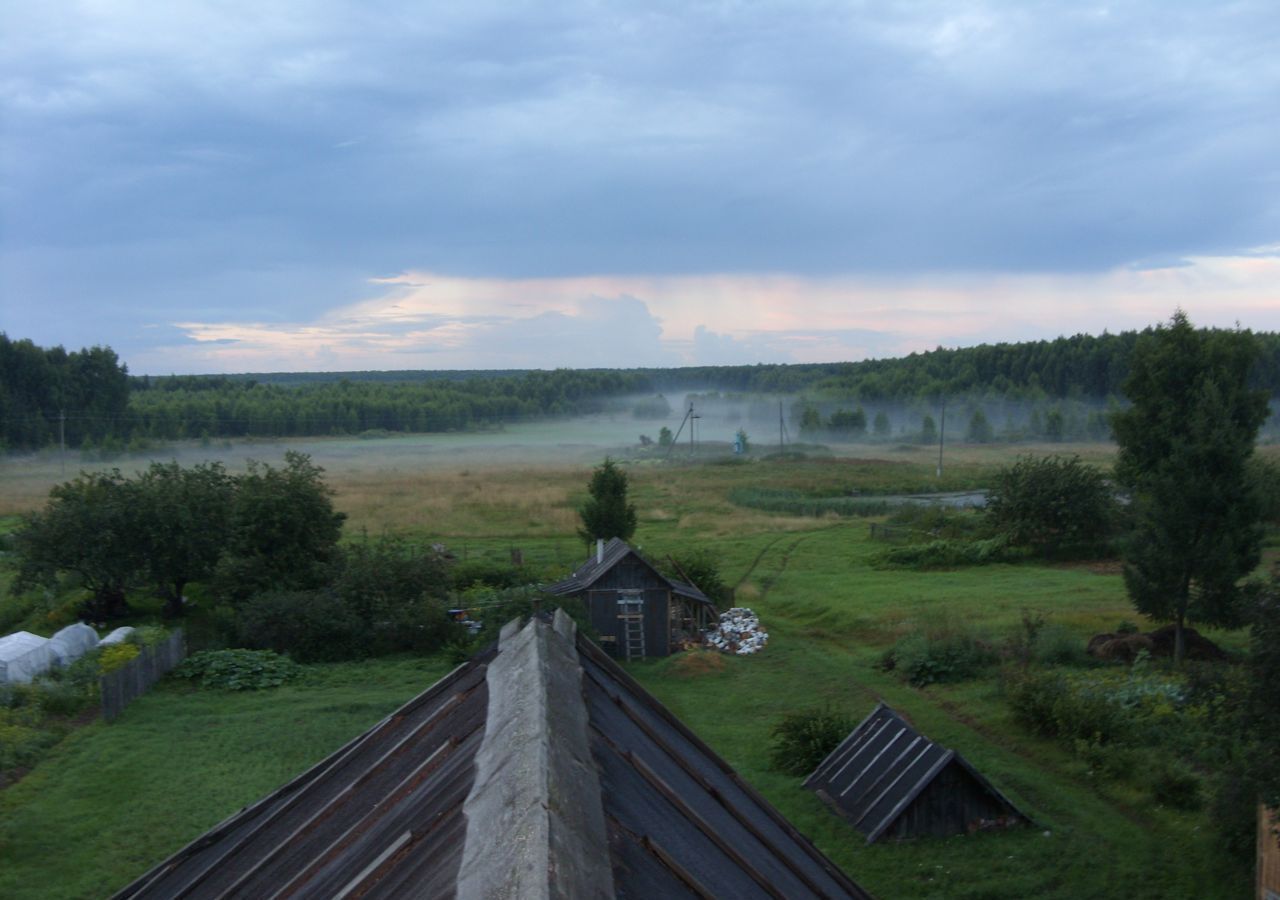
428	321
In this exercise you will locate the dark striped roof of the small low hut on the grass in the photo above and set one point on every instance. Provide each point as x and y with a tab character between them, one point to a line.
883	767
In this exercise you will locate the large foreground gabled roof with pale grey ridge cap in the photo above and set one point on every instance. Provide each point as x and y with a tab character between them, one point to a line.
538	770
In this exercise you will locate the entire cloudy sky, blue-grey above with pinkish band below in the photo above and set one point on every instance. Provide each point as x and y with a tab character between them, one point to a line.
321	186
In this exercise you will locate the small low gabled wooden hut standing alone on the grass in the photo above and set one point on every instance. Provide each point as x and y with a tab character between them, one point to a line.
889	780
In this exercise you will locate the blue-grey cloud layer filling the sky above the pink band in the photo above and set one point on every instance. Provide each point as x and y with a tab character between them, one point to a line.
244	141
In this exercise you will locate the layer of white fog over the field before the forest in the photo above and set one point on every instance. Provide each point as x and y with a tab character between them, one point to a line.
629	430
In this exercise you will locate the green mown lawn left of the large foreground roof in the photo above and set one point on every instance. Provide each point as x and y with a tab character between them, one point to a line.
112	801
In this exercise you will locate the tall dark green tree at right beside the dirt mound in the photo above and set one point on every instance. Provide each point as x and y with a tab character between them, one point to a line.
1185	445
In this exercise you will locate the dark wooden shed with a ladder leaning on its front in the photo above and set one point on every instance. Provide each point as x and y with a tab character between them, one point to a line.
634	609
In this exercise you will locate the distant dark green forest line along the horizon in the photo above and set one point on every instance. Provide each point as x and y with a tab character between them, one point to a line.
88	399
